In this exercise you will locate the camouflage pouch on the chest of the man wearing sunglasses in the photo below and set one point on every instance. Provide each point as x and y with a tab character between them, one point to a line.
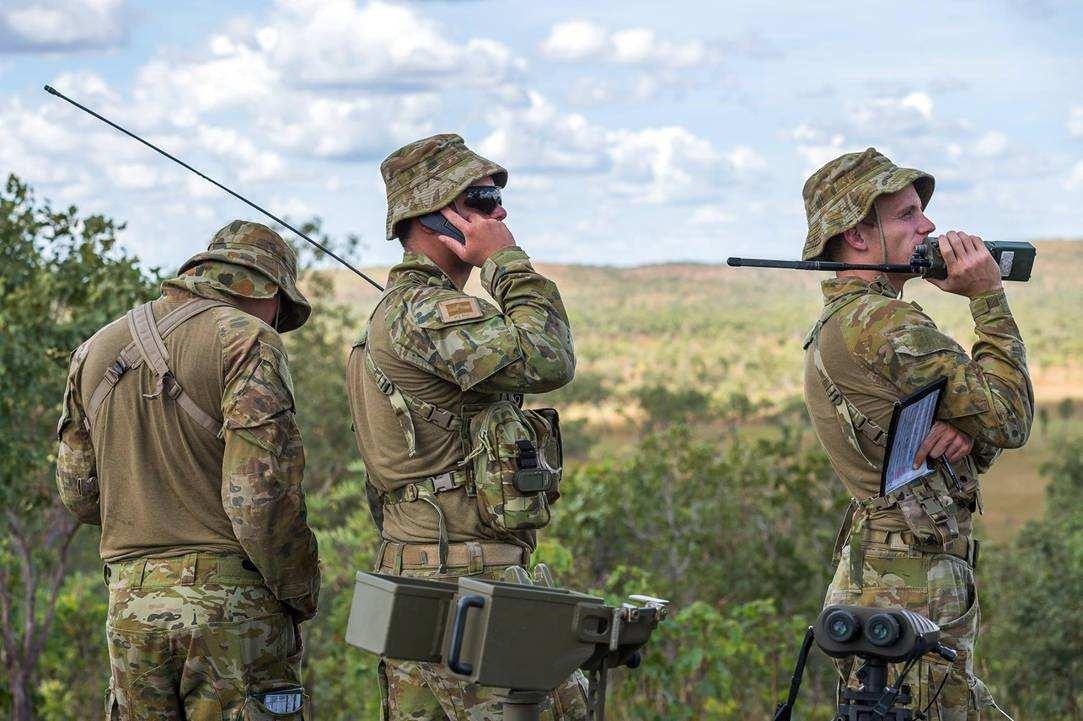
516	466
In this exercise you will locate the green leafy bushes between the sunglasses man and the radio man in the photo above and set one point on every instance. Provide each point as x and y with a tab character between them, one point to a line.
737	534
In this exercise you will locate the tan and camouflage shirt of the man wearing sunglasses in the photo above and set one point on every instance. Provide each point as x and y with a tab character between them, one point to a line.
451	350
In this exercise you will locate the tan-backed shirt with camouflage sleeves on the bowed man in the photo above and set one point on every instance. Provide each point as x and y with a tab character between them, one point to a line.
163	487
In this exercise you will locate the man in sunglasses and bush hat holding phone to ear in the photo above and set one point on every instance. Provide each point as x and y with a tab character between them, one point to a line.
460	477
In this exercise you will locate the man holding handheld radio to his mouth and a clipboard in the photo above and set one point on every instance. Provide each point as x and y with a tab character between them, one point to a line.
868	350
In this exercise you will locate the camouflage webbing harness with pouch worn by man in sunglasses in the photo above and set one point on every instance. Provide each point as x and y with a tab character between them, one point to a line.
512	457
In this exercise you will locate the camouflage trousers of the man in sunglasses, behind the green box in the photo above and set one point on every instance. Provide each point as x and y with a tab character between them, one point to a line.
421	692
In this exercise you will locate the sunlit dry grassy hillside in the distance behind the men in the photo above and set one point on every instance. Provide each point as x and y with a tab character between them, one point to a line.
736	335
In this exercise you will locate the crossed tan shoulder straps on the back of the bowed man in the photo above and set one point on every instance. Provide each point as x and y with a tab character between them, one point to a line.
148	347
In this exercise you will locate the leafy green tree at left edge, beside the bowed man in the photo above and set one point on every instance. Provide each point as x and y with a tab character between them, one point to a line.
62	277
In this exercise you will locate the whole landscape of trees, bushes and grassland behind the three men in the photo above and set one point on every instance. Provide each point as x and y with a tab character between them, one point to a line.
691	475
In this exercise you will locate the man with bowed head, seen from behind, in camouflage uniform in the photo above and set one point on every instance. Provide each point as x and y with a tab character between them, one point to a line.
178	438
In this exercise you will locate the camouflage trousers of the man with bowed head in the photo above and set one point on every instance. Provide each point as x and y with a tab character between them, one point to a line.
199	637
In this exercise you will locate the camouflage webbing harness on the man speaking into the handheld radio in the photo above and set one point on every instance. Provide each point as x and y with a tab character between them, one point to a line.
930	506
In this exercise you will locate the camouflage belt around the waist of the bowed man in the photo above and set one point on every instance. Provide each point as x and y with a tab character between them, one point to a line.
188	570
